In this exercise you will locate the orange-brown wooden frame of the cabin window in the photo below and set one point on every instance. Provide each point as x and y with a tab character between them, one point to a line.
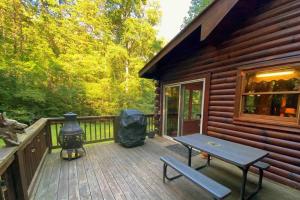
240	117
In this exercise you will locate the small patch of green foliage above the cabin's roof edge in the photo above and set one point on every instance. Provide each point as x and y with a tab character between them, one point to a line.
196	7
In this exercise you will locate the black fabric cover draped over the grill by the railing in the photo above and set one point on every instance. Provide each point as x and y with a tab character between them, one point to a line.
132	128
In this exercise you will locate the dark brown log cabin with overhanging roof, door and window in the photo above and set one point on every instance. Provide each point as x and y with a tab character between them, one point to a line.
234	73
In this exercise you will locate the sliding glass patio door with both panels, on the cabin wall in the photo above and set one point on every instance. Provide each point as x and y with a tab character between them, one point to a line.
183	104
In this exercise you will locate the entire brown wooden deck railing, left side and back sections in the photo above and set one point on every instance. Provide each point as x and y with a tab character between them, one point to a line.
20	165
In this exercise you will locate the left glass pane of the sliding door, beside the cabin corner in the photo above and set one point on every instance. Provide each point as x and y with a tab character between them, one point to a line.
171	110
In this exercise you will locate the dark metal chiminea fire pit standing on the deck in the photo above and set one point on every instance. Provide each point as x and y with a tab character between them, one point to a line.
71	137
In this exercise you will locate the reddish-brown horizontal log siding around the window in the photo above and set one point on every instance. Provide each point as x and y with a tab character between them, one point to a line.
270	38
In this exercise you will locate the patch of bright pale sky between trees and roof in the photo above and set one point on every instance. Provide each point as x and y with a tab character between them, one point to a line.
173	12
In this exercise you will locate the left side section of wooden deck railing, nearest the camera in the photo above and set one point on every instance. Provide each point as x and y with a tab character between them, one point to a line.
19	165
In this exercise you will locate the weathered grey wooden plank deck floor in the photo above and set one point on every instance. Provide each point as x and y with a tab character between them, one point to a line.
109	171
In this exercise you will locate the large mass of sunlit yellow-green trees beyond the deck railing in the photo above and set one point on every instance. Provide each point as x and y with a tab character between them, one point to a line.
81	56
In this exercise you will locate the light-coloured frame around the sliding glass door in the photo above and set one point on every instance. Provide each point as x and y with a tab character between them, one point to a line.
180	106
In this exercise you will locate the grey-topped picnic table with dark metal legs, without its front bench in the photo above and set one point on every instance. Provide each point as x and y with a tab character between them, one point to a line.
239	155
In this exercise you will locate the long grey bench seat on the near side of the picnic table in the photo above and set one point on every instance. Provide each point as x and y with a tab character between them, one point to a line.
217	190
